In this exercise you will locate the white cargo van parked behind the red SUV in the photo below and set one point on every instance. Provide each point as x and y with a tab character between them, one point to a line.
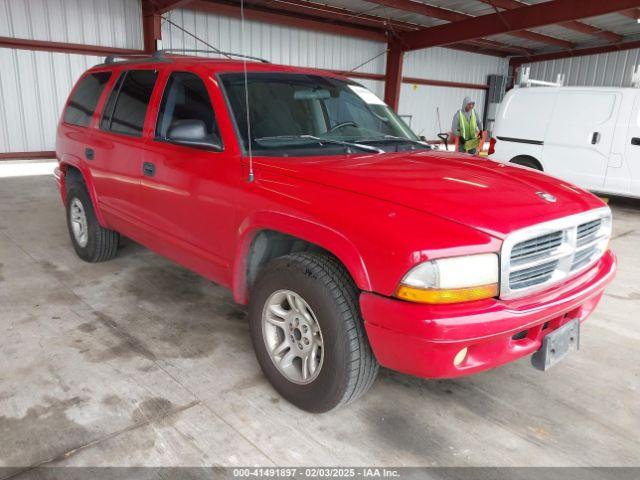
586	135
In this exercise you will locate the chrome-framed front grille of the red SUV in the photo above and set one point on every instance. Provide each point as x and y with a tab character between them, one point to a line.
542	255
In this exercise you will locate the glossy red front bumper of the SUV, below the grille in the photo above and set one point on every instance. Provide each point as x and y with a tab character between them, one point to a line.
423	340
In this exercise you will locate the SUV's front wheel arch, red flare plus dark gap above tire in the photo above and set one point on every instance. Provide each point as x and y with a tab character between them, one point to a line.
269	235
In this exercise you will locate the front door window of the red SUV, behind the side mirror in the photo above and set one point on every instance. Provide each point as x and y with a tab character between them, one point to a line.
186	98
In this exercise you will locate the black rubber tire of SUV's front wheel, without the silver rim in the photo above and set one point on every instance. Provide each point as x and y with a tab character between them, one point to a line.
349	367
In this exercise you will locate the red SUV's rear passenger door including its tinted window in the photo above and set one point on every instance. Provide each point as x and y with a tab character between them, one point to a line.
117	147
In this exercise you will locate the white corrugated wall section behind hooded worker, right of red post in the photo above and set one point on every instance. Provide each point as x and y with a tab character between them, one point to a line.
424	103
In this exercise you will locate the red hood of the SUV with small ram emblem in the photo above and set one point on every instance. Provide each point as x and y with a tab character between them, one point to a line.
488	196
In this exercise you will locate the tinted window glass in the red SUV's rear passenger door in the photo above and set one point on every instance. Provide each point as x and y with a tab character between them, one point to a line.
127	106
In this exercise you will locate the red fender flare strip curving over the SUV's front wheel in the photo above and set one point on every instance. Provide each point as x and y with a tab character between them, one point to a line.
305	229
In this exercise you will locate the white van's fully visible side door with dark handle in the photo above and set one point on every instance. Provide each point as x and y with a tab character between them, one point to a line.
579	138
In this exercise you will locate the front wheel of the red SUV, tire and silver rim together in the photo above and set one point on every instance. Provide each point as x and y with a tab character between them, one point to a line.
308	333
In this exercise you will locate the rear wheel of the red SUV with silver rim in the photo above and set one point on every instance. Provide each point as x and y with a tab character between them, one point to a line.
91	242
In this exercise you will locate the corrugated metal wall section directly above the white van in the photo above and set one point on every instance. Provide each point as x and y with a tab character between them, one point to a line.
613	69
